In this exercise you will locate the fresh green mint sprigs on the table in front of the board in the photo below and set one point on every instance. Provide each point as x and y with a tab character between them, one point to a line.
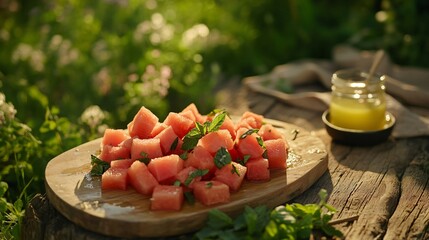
290	221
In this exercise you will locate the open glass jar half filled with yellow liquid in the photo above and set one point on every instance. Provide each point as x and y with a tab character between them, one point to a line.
357	103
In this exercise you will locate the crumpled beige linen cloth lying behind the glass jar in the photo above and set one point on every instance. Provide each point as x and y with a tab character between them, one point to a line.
406	87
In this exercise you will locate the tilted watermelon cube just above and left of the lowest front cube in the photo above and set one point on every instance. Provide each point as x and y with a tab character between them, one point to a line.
141	179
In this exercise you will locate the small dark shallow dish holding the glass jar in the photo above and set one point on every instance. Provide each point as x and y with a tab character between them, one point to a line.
359	137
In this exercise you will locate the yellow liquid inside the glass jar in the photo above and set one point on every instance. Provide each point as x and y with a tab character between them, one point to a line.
351	114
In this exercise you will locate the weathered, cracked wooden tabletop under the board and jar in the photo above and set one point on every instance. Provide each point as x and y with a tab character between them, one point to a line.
387	185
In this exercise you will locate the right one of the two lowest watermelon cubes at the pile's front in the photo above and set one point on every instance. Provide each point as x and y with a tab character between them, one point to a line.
211	192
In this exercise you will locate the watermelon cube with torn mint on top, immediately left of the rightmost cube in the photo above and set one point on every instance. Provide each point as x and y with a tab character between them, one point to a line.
249	145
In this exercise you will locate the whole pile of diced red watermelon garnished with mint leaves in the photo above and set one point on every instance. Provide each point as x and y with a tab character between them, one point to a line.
208	156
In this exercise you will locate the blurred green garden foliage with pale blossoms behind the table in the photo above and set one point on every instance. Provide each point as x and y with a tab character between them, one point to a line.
71	68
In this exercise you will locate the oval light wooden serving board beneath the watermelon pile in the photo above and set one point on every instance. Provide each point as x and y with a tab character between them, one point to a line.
78	196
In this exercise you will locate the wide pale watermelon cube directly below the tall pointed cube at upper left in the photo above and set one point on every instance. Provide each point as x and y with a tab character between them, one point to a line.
146	148
